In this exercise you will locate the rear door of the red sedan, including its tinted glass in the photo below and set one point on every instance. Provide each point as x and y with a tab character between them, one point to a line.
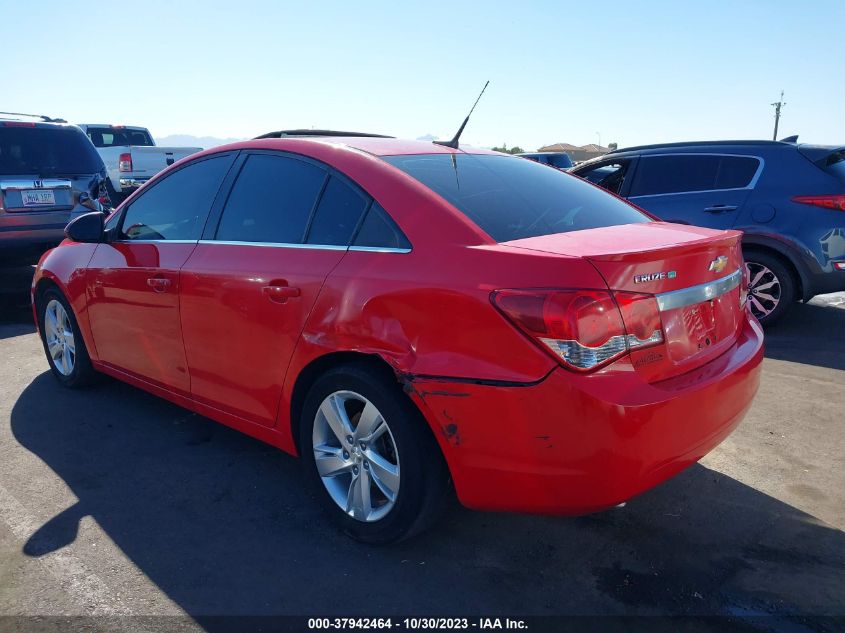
248	288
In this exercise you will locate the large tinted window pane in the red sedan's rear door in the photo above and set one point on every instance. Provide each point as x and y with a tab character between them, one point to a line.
271	201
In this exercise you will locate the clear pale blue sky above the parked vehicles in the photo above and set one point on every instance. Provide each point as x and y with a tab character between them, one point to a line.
635	72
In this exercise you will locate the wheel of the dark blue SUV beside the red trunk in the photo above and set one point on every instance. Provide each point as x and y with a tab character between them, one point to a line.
771	287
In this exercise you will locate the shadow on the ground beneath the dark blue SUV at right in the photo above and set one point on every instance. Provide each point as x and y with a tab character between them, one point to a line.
810	334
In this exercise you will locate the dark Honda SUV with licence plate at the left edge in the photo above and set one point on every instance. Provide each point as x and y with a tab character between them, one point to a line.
49	174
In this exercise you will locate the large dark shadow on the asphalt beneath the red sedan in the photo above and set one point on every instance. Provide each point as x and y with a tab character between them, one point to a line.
222	524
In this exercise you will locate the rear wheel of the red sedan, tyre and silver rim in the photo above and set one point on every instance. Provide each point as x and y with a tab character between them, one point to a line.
371	456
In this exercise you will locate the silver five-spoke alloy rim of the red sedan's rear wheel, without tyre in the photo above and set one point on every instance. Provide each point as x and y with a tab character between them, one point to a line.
356	456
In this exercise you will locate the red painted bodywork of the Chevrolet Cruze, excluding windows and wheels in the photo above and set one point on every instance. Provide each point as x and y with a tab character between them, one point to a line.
536	438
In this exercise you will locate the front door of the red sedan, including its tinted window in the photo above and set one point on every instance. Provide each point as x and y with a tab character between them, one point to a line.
133	280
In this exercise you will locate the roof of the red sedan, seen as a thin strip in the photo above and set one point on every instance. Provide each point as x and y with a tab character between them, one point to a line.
376	146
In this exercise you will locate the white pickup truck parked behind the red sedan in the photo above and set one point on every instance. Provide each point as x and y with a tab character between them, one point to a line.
131	155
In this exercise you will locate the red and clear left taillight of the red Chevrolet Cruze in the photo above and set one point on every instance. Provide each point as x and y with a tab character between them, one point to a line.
583	329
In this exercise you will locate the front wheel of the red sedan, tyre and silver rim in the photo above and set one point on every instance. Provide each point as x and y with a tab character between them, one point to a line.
63	343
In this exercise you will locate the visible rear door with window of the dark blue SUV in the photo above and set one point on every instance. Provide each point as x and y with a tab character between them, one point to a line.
700	189
